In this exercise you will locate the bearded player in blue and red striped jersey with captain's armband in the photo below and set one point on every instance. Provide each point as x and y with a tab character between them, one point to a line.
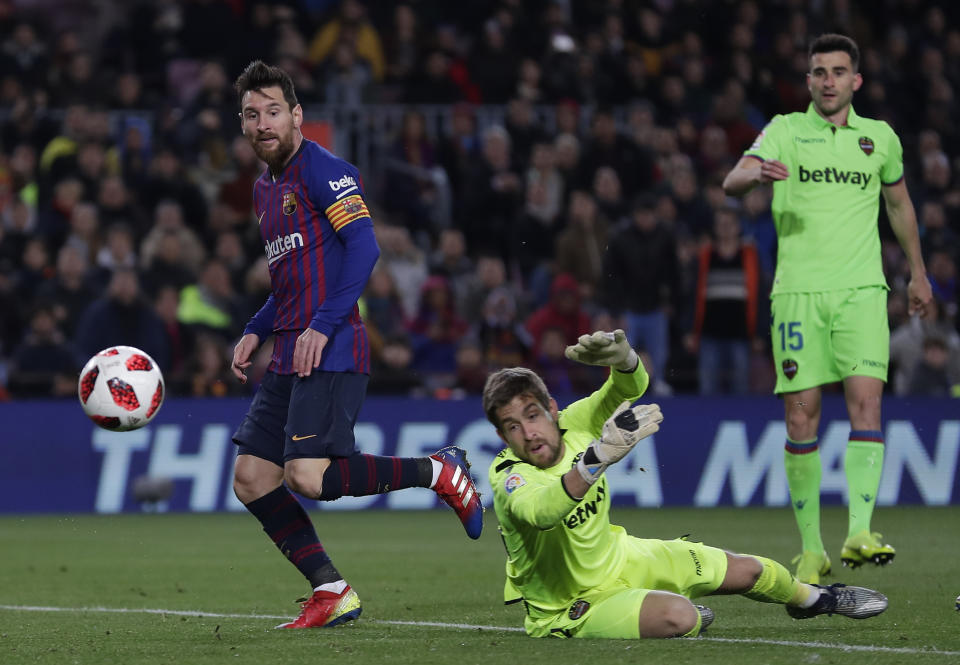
298	432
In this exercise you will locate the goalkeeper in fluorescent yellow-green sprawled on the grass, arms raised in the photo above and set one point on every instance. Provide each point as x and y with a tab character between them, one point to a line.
577	574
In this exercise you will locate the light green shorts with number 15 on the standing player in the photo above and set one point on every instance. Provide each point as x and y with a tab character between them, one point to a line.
821	338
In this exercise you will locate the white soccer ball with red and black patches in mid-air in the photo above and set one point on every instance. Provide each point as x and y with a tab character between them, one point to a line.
121	388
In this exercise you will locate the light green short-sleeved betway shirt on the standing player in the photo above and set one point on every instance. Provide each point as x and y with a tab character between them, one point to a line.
826	210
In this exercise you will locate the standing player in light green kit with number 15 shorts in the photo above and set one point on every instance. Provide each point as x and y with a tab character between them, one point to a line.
829	167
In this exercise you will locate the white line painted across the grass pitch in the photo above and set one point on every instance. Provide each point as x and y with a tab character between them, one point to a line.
468	626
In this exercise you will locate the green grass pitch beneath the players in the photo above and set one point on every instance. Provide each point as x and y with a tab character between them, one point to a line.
419	567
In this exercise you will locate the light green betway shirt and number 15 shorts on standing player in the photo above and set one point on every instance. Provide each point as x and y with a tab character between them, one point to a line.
829	293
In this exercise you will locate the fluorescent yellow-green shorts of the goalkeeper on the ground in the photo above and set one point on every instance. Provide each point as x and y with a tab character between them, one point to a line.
612	611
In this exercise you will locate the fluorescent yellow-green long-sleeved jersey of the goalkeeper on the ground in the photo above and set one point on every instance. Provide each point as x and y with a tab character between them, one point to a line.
559	547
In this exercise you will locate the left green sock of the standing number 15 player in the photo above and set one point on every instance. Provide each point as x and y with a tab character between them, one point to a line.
801	460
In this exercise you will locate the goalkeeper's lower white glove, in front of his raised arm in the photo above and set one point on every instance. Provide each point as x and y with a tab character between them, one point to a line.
620	434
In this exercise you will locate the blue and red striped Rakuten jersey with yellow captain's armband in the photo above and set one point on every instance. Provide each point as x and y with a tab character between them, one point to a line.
321	249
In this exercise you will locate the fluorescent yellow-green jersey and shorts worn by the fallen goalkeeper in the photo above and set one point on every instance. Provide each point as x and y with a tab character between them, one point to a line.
577	574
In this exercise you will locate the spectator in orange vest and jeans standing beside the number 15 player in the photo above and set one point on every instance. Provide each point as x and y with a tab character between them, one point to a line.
725	319
